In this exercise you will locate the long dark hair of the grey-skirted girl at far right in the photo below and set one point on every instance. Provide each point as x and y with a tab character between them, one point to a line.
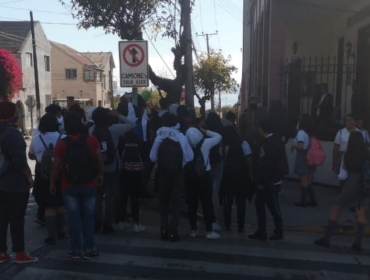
357	152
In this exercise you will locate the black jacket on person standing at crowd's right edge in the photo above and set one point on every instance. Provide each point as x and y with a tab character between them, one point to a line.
270	159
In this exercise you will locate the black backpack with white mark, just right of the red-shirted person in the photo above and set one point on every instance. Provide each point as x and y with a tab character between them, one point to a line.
107	148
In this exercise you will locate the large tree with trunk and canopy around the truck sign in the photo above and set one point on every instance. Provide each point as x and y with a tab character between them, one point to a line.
128	18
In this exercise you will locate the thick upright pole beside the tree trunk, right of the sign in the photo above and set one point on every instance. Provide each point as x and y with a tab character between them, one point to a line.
186	10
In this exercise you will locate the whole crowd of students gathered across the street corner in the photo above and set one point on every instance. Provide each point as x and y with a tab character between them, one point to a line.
88	167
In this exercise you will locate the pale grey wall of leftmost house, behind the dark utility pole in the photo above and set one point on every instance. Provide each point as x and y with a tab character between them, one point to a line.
43	49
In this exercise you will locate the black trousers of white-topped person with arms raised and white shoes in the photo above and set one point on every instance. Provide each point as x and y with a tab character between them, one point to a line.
200	189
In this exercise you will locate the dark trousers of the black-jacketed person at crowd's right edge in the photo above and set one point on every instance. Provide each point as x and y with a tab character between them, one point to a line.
269	196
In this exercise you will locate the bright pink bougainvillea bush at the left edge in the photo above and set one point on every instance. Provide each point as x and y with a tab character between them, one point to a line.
10	76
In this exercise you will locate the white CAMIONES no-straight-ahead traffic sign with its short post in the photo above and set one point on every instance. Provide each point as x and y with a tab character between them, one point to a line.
134	70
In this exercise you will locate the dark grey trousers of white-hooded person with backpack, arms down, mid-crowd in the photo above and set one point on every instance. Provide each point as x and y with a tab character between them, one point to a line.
170	194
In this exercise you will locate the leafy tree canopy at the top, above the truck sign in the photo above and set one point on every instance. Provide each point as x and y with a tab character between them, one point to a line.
126	18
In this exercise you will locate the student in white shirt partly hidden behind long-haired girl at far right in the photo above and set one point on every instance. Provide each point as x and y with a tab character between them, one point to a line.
341	142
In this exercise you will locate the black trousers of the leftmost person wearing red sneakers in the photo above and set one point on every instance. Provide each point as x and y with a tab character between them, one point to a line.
13	208
